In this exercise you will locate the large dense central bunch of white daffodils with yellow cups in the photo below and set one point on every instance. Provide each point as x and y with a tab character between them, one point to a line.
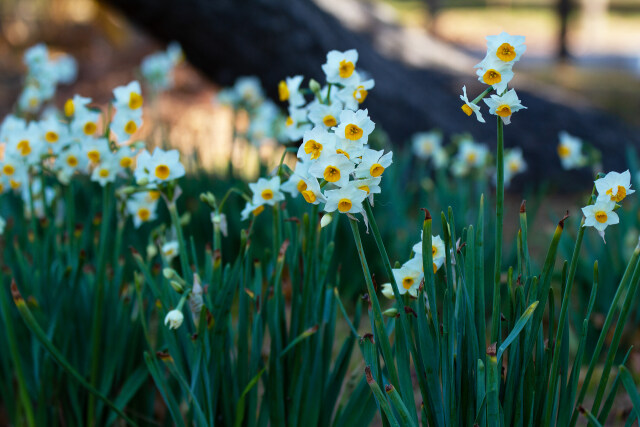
335	165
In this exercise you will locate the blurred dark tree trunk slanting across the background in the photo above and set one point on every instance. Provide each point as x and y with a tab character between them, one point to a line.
277	38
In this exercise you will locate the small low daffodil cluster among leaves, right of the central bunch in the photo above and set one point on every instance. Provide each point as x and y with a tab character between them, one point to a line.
410	274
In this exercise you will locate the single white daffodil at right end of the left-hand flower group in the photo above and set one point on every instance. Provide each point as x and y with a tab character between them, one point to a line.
162	166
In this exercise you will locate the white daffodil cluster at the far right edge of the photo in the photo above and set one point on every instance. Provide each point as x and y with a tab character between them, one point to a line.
612	189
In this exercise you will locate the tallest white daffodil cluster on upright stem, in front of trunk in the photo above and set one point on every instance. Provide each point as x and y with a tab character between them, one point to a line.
496	70
